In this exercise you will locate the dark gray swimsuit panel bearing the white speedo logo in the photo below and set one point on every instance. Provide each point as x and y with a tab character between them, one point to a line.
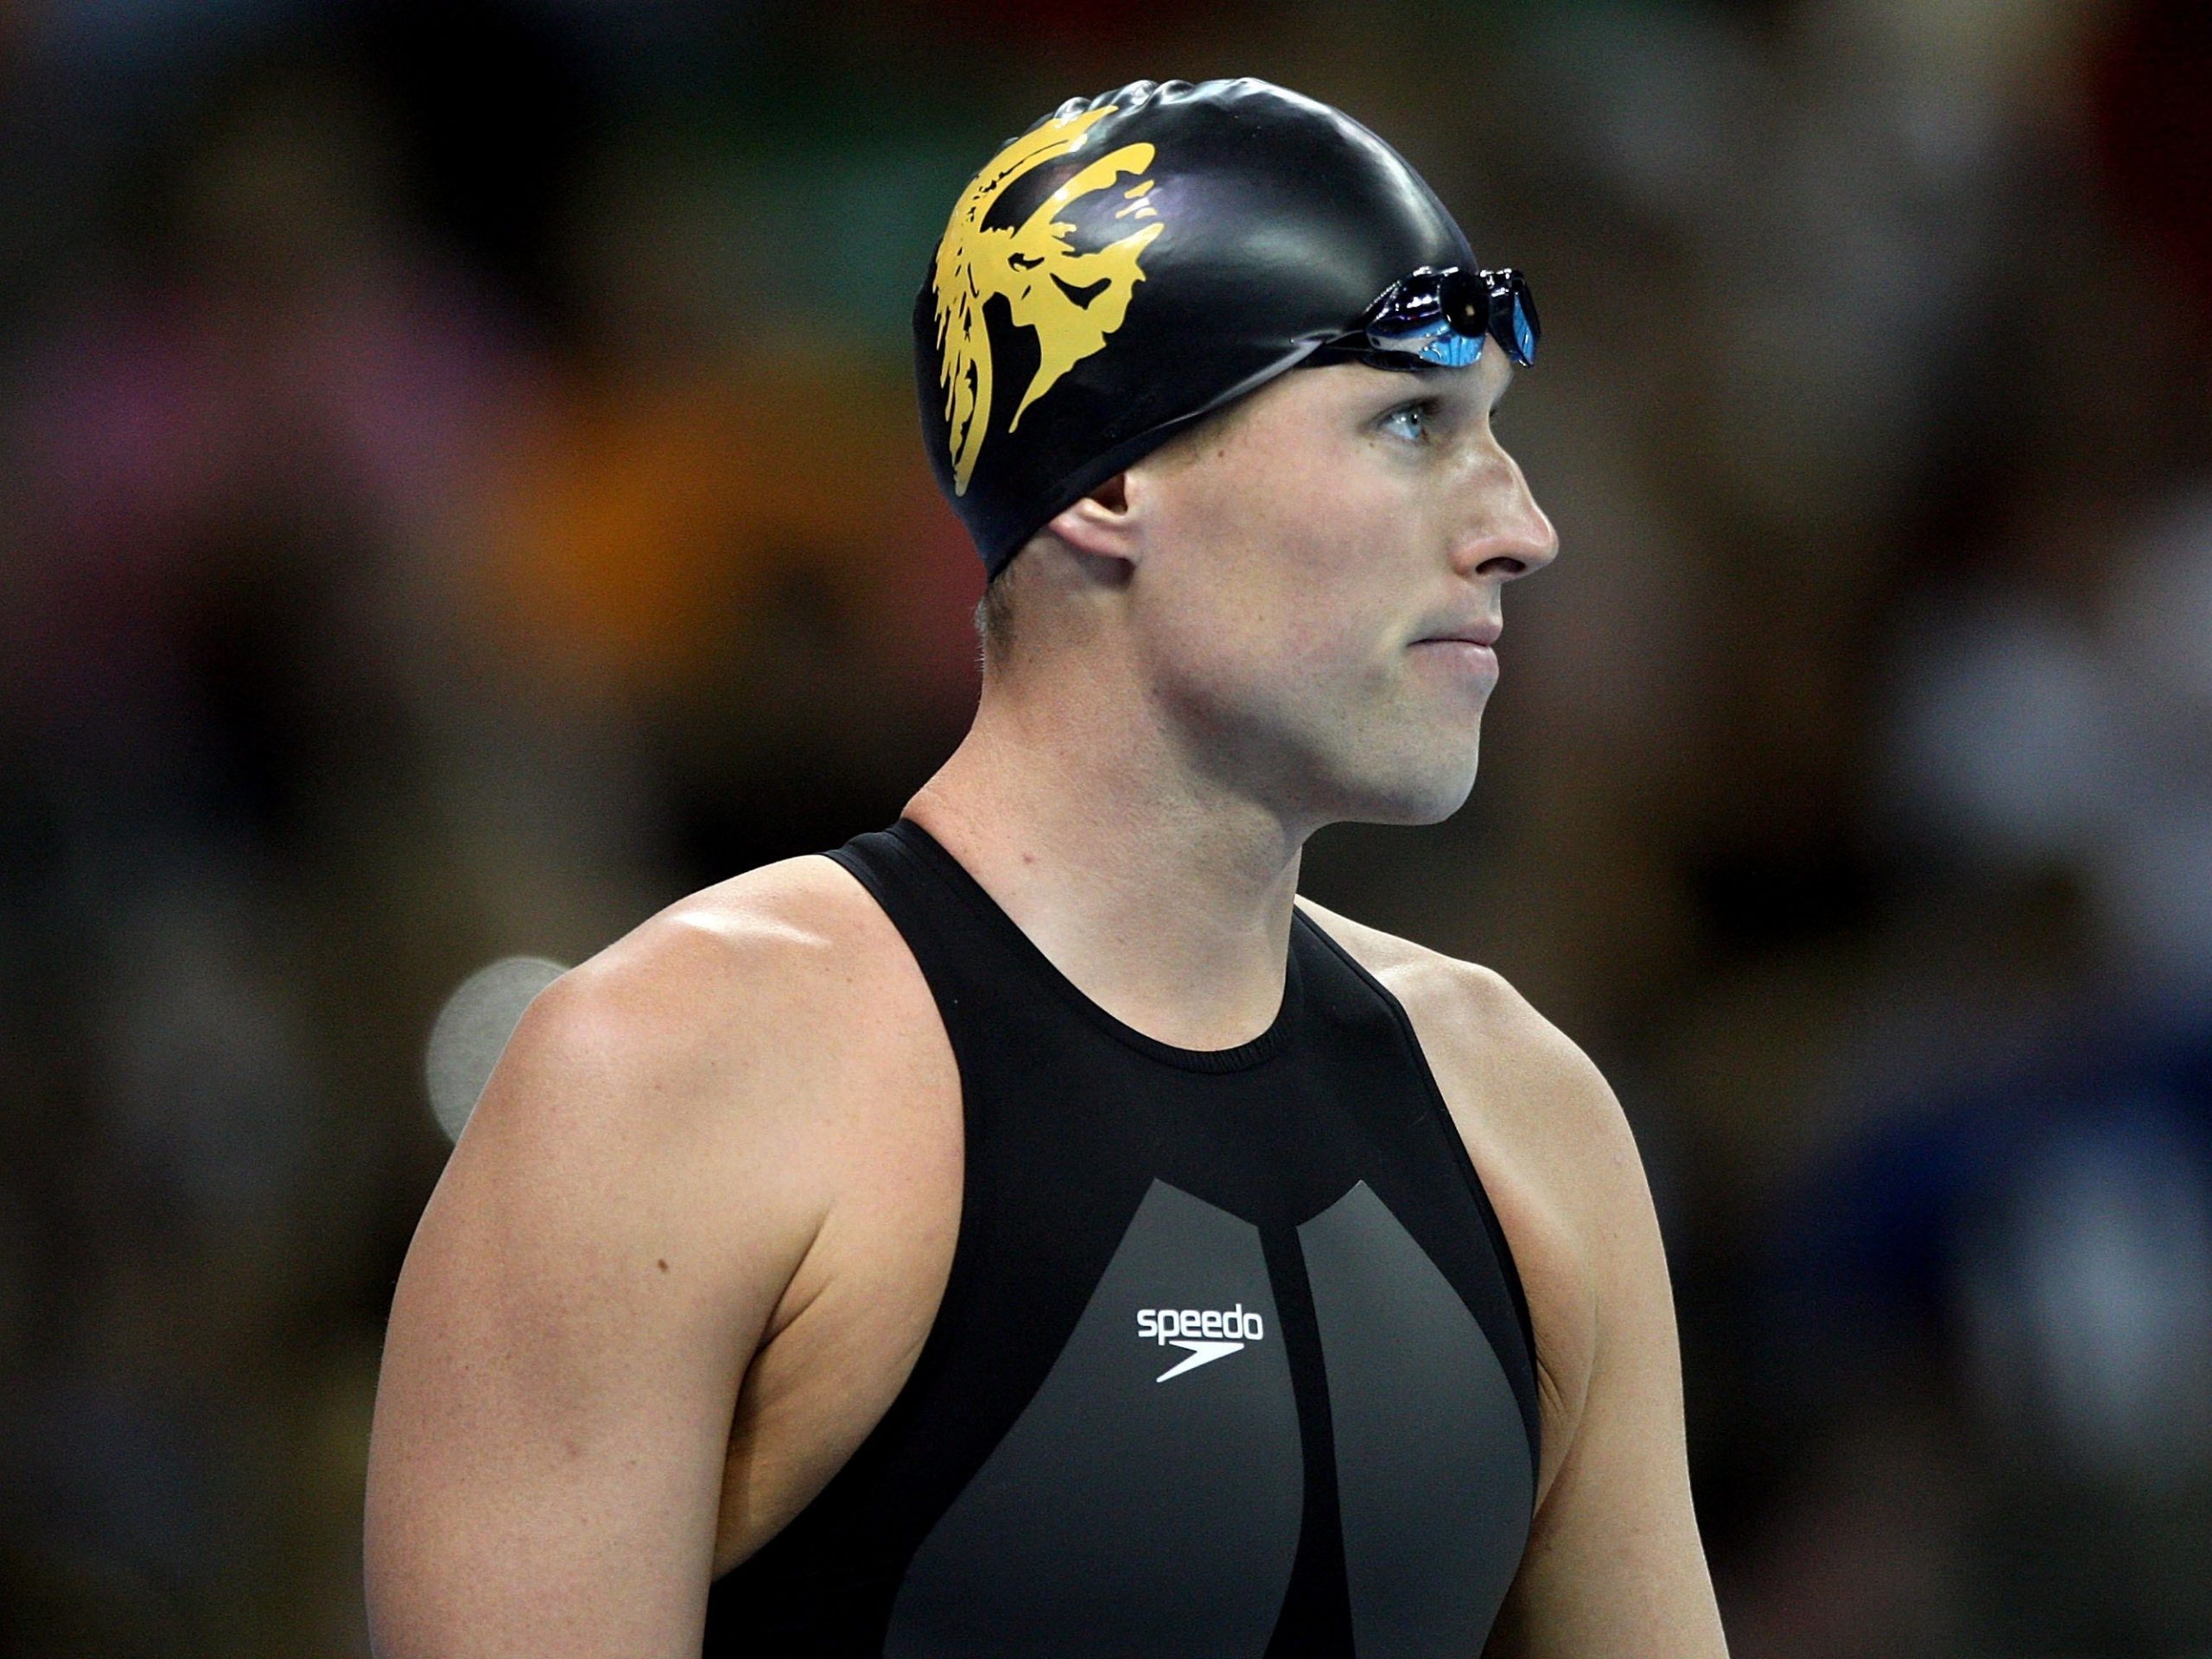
1125	1514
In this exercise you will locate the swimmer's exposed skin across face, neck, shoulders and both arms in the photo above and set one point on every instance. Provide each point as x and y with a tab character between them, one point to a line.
691	1244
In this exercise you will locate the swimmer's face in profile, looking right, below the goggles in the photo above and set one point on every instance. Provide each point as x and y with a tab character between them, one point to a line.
1319	587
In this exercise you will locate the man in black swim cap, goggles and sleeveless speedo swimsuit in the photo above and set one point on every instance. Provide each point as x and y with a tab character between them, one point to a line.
1036	1231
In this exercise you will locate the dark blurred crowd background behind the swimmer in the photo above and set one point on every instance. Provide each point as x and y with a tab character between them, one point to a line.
461	490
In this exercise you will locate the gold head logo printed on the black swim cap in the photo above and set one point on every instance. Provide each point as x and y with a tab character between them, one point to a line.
1070	302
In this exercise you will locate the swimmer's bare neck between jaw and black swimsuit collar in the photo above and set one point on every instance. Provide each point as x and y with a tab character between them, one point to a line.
1162	895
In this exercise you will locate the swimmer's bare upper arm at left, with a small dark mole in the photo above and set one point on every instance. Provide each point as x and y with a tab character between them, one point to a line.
572	1328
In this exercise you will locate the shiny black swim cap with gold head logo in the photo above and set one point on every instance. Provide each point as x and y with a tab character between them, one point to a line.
1136	262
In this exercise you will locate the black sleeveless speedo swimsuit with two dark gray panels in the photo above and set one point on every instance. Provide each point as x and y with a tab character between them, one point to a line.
1233	1361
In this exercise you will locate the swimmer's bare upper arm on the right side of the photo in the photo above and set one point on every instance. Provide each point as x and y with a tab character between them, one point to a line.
1616	1567
